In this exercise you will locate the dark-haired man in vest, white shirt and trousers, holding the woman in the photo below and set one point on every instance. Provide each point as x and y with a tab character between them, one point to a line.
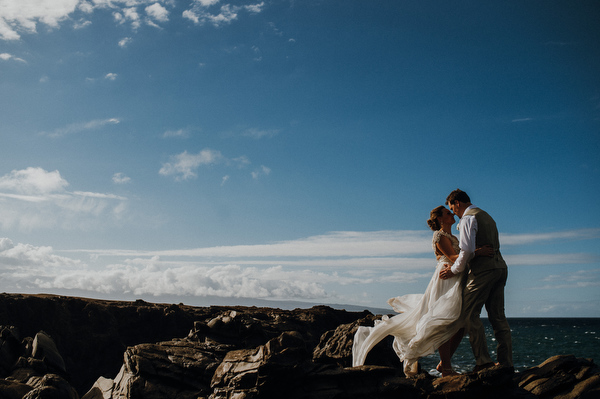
485	280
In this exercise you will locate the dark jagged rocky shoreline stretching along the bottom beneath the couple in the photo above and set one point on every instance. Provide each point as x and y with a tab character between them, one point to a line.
69	347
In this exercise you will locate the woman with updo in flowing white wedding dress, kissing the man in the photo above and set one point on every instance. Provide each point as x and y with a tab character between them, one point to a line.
426	322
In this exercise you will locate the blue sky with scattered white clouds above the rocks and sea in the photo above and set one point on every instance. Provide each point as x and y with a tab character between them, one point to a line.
210	151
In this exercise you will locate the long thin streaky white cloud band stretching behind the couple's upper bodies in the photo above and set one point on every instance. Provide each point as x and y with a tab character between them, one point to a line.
392	251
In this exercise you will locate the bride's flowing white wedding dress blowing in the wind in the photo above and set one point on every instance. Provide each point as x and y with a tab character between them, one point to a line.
425	321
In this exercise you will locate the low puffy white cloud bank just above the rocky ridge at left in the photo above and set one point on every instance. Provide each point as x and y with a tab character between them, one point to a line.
34	268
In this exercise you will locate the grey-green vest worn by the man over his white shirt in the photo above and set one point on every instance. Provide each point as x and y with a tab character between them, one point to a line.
487	234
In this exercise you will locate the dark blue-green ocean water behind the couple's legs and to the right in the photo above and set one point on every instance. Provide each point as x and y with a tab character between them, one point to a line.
534	340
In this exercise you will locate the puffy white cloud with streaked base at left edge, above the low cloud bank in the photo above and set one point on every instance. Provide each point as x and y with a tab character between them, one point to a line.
34	198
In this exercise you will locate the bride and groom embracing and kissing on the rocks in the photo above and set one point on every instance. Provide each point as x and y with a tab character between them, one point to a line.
470	273
